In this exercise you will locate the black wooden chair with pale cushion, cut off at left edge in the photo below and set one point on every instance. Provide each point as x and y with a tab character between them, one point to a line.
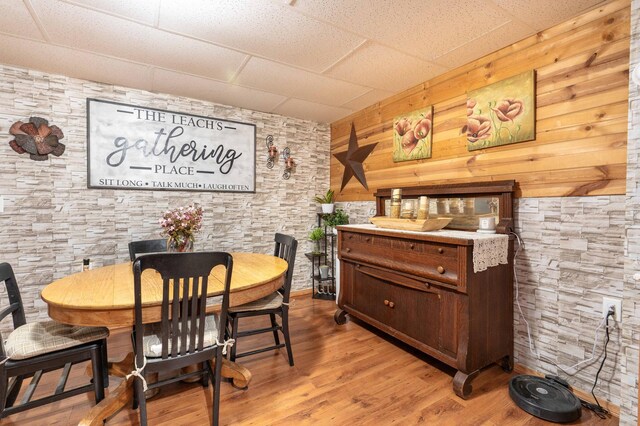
34	349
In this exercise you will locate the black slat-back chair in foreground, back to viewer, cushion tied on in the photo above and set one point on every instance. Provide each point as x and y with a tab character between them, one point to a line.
186	335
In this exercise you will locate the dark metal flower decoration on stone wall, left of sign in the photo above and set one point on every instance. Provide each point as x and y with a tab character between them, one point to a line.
37	138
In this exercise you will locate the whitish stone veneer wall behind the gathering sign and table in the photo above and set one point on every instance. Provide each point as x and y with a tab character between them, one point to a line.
52	220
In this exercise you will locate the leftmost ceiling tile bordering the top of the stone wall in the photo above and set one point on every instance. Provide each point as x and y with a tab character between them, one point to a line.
73	63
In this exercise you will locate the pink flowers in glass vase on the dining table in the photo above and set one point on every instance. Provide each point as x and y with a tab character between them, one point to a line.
180	225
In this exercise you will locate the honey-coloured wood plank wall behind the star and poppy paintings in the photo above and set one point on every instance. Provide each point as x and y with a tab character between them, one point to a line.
582	77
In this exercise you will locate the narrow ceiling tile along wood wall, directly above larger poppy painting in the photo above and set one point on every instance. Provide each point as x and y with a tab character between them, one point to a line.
485	44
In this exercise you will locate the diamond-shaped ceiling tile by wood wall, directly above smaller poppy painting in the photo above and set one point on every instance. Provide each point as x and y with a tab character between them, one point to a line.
384	68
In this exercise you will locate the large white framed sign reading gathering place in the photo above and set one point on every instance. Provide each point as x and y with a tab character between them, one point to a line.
135	147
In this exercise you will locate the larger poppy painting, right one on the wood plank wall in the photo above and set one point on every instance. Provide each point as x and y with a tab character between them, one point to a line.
502	113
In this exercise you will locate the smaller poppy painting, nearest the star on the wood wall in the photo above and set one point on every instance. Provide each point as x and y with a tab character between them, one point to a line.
412	135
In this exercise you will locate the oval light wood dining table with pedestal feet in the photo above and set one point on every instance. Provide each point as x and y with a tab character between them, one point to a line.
105	297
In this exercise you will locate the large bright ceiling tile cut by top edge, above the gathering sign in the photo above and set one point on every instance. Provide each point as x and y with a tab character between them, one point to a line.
260	27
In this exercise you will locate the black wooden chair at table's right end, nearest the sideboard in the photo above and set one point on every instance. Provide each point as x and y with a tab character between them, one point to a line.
275	303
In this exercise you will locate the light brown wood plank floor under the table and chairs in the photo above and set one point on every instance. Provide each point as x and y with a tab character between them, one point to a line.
343	375
